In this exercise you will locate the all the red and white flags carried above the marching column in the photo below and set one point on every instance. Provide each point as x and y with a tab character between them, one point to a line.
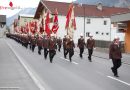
43	25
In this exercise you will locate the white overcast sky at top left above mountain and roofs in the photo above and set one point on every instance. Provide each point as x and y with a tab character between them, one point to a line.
22	4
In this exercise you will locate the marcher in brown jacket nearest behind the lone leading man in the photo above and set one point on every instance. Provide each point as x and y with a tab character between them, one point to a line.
90	46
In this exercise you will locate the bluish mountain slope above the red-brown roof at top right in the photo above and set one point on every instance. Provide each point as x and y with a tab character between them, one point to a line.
111	3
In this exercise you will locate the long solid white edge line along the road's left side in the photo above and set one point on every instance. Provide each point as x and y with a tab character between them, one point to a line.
32	74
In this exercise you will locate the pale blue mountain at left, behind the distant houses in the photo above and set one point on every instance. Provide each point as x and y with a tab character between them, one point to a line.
30	11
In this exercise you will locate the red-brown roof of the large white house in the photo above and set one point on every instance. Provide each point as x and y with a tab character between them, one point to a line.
80	10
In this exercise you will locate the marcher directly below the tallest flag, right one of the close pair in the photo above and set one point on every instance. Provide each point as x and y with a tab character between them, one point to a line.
70	48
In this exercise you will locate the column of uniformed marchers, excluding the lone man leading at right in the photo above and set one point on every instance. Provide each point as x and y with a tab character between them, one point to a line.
50	44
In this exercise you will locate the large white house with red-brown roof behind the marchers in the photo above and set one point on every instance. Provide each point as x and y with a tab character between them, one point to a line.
94	19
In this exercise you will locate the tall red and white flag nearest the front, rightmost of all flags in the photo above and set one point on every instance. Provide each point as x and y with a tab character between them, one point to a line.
70	21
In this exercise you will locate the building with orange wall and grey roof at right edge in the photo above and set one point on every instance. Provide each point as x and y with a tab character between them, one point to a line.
124	25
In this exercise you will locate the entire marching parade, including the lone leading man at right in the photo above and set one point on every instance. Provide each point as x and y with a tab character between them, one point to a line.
51	44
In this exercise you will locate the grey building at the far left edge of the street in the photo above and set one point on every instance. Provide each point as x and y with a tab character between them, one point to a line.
2	25
